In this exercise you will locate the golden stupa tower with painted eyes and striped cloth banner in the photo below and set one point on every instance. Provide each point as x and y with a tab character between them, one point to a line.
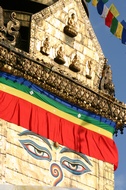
58	111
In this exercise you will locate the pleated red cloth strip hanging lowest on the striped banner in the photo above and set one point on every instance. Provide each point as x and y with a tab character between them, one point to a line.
44	123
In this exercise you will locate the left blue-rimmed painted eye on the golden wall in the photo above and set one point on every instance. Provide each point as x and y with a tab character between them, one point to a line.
36	151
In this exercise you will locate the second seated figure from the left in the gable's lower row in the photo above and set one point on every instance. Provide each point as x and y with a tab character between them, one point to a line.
60	56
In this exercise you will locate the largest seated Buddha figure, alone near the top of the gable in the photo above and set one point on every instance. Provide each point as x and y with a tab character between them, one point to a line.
71	28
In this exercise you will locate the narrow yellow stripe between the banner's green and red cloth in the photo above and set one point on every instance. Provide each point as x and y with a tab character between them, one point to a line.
53	110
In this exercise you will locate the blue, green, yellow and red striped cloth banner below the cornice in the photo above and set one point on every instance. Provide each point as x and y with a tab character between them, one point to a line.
35	109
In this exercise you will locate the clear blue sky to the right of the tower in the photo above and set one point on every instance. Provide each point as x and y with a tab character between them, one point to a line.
115	51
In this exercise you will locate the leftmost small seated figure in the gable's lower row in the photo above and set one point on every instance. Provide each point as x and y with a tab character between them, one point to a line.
45	49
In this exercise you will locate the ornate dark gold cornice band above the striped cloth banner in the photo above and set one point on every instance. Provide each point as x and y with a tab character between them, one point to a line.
43	74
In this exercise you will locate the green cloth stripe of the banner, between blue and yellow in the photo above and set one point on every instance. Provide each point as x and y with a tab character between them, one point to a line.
56	104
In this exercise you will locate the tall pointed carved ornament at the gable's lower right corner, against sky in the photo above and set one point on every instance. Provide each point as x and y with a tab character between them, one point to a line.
106	84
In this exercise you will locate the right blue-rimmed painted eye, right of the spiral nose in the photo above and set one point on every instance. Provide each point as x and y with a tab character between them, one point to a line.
76	167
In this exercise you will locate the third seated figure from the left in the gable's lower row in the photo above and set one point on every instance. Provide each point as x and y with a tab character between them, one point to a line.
74	66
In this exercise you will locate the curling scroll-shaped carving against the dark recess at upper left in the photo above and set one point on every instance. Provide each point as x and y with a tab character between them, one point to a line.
11	32
